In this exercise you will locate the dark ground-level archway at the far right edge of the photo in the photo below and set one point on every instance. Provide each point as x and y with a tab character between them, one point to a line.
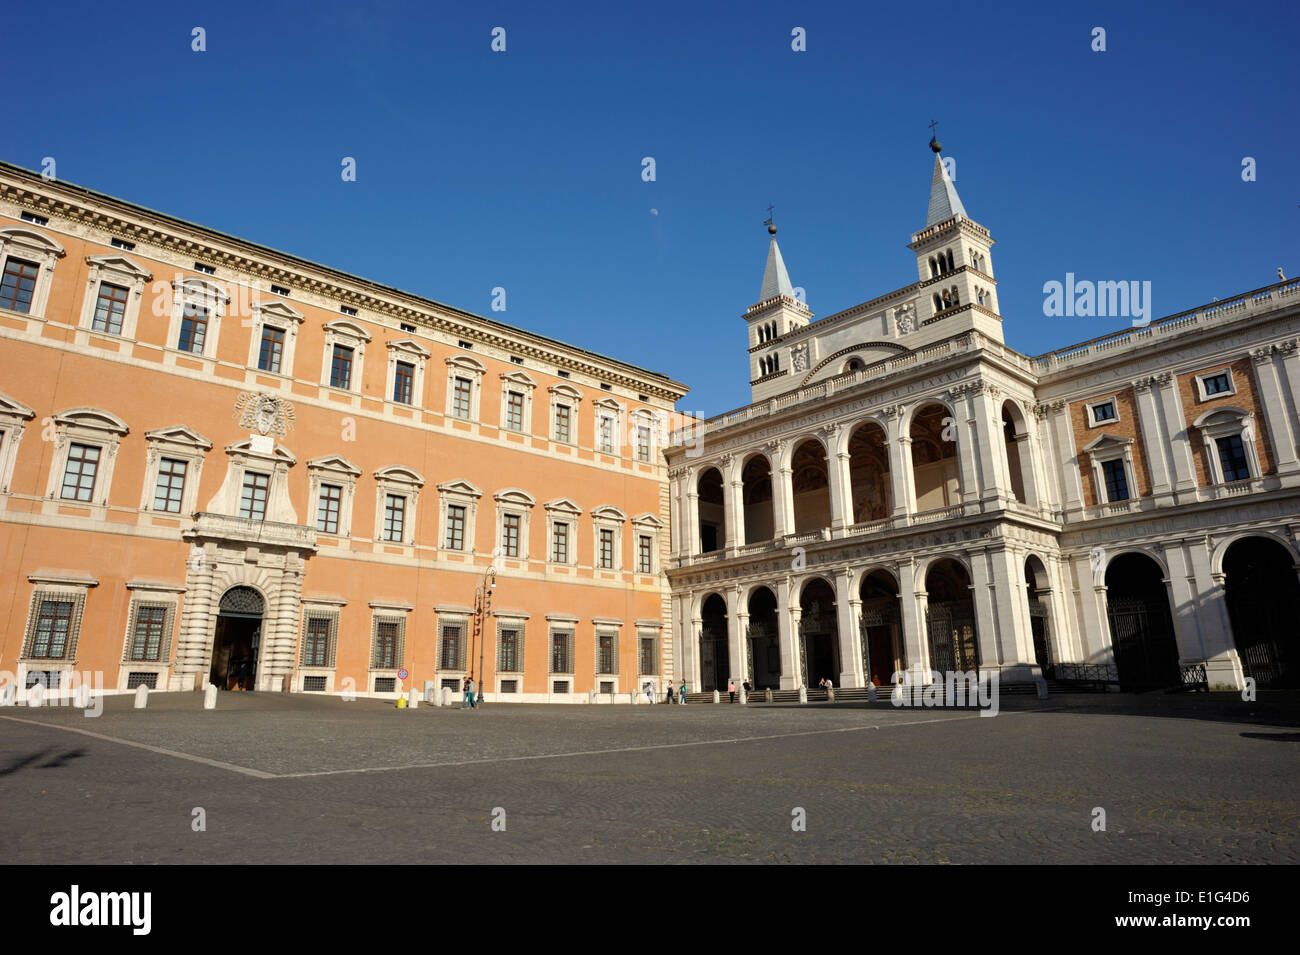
1263	596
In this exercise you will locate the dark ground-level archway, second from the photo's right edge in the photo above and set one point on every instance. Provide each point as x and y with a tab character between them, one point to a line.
1142	630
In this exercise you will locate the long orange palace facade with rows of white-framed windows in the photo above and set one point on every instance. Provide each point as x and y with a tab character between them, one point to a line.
222	465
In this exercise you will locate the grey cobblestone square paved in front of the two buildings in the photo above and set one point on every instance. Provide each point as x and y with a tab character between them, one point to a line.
310	780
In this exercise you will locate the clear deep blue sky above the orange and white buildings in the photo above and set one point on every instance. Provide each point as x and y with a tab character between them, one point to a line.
523	170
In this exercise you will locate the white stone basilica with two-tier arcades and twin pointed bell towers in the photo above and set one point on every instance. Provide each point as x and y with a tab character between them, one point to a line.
907	493
